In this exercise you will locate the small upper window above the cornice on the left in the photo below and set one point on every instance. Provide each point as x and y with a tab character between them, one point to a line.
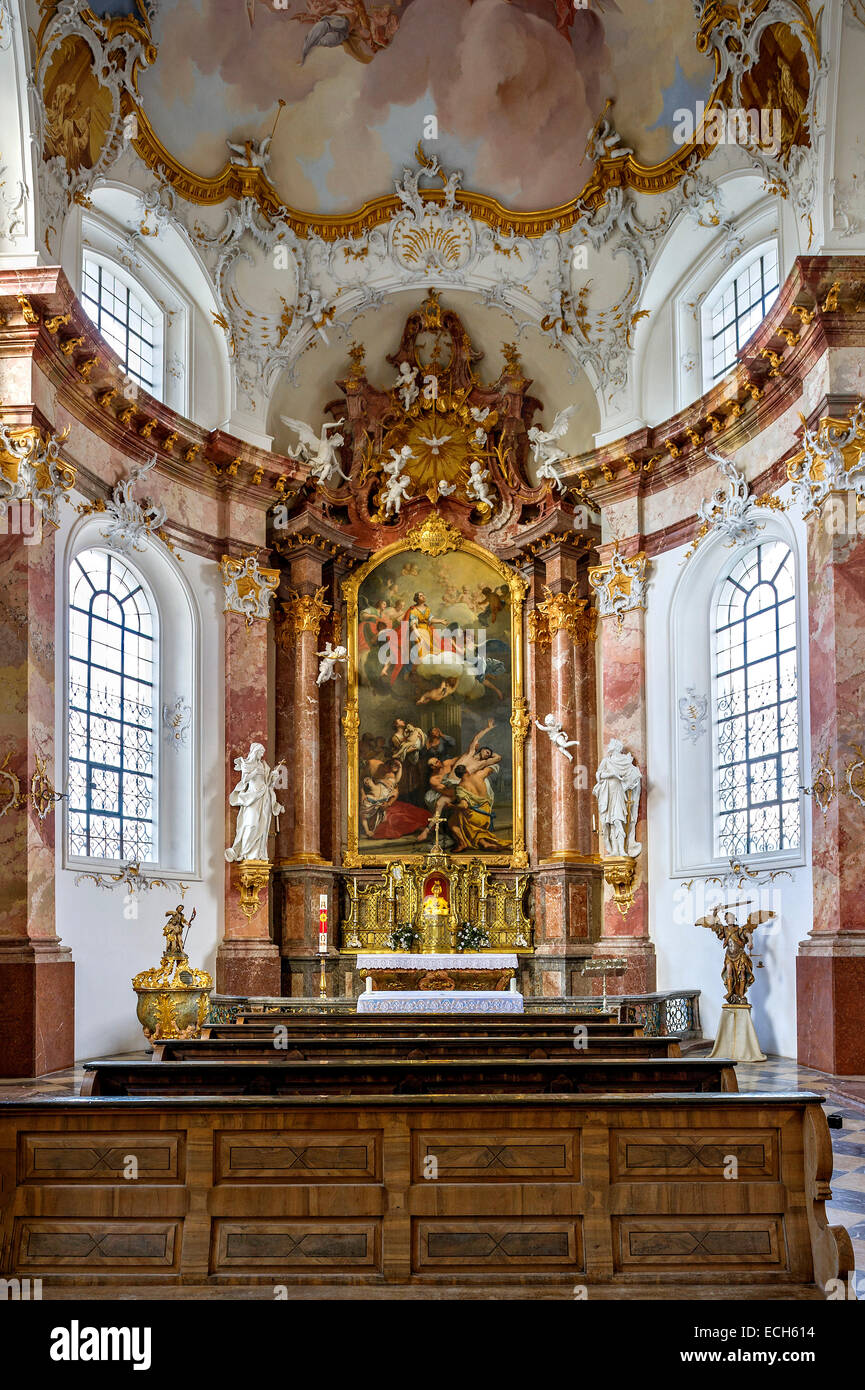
127	319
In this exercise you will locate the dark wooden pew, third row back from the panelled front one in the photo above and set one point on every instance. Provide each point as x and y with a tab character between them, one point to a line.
275	1047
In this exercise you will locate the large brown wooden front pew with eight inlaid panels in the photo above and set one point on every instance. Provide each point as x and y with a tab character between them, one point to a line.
628	1197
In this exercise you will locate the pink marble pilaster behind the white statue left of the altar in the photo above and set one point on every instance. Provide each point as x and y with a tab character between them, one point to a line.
248	963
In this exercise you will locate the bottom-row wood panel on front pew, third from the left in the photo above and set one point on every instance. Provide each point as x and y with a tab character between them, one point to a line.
512	1243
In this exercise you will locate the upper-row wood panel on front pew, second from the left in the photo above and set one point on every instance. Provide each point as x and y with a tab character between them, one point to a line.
298	1157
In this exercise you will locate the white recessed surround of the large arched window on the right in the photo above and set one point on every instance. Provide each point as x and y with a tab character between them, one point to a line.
693	665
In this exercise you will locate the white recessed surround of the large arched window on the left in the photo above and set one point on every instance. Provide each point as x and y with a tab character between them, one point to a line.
177	673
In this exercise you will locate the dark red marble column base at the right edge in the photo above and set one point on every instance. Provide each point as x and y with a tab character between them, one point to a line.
830	993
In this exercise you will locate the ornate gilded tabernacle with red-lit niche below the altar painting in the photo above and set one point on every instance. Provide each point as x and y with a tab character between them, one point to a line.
422	907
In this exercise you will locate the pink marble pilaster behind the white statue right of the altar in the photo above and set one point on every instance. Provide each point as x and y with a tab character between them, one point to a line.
624	717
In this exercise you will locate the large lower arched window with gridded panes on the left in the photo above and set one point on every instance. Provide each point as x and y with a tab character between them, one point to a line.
113	697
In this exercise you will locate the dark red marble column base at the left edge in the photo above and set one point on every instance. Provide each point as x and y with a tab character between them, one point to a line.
37	1010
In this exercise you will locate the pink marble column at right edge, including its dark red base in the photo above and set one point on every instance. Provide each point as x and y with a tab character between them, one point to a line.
831	965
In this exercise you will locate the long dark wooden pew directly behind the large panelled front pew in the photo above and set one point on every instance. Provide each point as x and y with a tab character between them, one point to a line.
396	1077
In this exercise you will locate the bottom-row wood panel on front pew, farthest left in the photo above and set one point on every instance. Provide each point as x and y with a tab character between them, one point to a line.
44	1245
